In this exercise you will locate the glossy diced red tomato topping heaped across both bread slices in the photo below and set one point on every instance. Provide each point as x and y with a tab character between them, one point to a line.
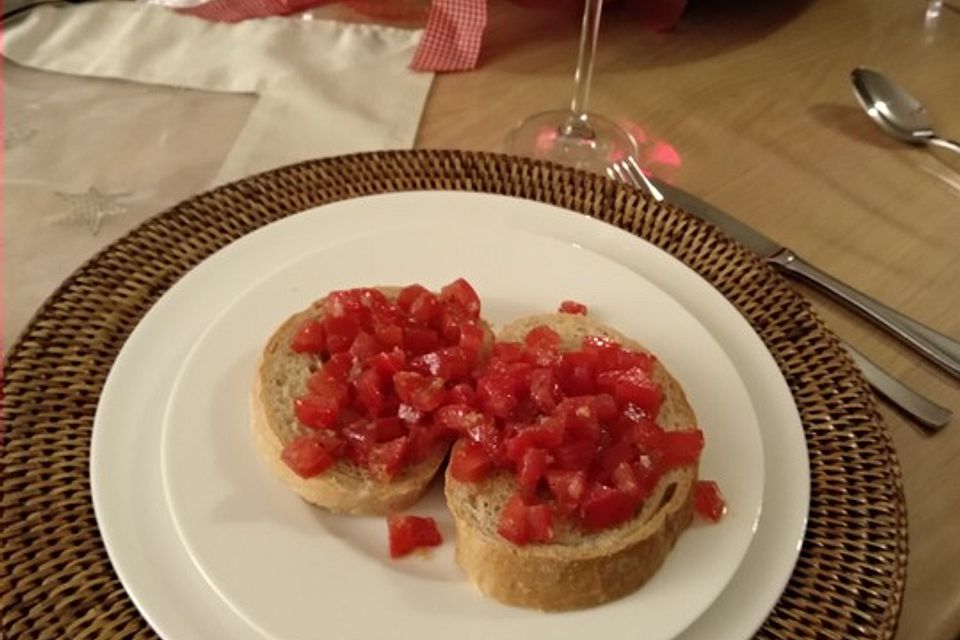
578	428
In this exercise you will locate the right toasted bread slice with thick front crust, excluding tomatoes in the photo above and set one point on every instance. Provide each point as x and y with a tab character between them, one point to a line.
576	569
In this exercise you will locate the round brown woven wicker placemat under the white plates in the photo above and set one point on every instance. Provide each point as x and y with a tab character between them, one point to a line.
57	581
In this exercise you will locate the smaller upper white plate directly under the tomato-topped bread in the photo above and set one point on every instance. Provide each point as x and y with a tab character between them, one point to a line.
225	503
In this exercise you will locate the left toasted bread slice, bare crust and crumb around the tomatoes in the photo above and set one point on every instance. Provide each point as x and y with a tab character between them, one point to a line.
281	376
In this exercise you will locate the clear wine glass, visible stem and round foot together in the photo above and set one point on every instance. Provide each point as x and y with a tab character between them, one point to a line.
575	137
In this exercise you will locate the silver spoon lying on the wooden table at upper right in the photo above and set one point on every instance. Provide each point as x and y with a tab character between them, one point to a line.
896	111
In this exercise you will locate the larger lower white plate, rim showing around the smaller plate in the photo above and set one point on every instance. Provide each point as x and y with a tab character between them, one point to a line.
136	525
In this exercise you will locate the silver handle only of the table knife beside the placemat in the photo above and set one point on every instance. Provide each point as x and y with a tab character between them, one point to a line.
937	347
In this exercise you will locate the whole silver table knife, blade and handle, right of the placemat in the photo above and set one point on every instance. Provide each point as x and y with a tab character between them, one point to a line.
936	347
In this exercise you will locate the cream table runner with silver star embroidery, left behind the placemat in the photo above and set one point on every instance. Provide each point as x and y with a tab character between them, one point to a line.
88	157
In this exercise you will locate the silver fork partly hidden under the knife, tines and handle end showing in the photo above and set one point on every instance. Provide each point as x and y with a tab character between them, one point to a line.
921	409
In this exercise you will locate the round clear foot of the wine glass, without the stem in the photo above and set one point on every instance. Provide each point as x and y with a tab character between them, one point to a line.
548	136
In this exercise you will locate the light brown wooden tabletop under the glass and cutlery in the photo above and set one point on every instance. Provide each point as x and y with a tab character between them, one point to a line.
755	99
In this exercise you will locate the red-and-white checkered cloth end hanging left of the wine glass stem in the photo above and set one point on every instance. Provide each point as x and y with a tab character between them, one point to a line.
453	35
